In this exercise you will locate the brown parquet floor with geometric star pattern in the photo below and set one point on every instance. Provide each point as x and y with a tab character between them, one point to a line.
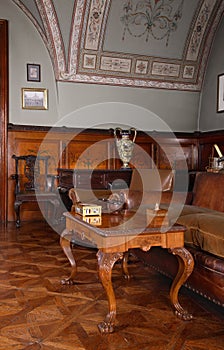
37	312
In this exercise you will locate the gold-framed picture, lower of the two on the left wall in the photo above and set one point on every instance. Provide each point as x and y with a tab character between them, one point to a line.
34	98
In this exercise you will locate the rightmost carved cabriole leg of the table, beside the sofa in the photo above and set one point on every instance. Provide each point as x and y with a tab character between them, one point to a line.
186	265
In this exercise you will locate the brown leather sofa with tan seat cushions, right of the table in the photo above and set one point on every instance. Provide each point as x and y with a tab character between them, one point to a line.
203	216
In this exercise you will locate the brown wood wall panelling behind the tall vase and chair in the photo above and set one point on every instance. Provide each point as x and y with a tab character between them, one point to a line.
96	149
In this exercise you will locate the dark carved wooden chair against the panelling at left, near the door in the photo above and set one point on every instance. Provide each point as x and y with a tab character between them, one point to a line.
34	184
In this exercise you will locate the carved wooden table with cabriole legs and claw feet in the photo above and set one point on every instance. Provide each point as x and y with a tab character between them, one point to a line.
113	237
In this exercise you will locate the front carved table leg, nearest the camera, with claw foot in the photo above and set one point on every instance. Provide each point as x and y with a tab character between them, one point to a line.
106	262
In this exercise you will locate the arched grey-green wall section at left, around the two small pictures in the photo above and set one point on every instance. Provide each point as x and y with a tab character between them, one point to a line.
26	46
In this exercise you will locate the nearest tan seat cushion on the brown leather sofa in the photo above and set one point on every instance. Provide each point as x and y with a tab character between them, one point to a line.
204	231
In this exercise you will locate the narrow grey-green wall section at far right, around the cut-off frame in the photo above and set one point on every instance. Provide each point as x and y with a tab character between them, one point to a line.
209	118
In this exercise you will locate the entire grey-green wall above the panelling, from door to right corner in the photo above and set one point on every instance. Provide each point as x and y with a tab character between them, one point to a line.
178	109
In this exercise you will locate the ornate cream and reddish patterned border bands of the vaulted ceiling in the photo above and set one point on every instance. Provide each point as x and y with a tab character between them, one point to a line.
88	62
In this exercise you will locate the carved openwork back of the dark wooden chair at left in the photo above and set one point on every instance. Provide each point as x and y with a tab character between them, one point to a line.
31	173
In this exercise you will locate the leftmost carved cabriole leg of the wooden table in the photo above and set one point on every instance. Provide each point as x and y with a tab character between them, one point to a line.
65	242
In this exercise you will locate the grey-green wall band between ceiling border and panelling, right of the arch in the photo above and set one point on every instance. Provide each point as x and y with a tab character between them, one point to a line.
127	105
